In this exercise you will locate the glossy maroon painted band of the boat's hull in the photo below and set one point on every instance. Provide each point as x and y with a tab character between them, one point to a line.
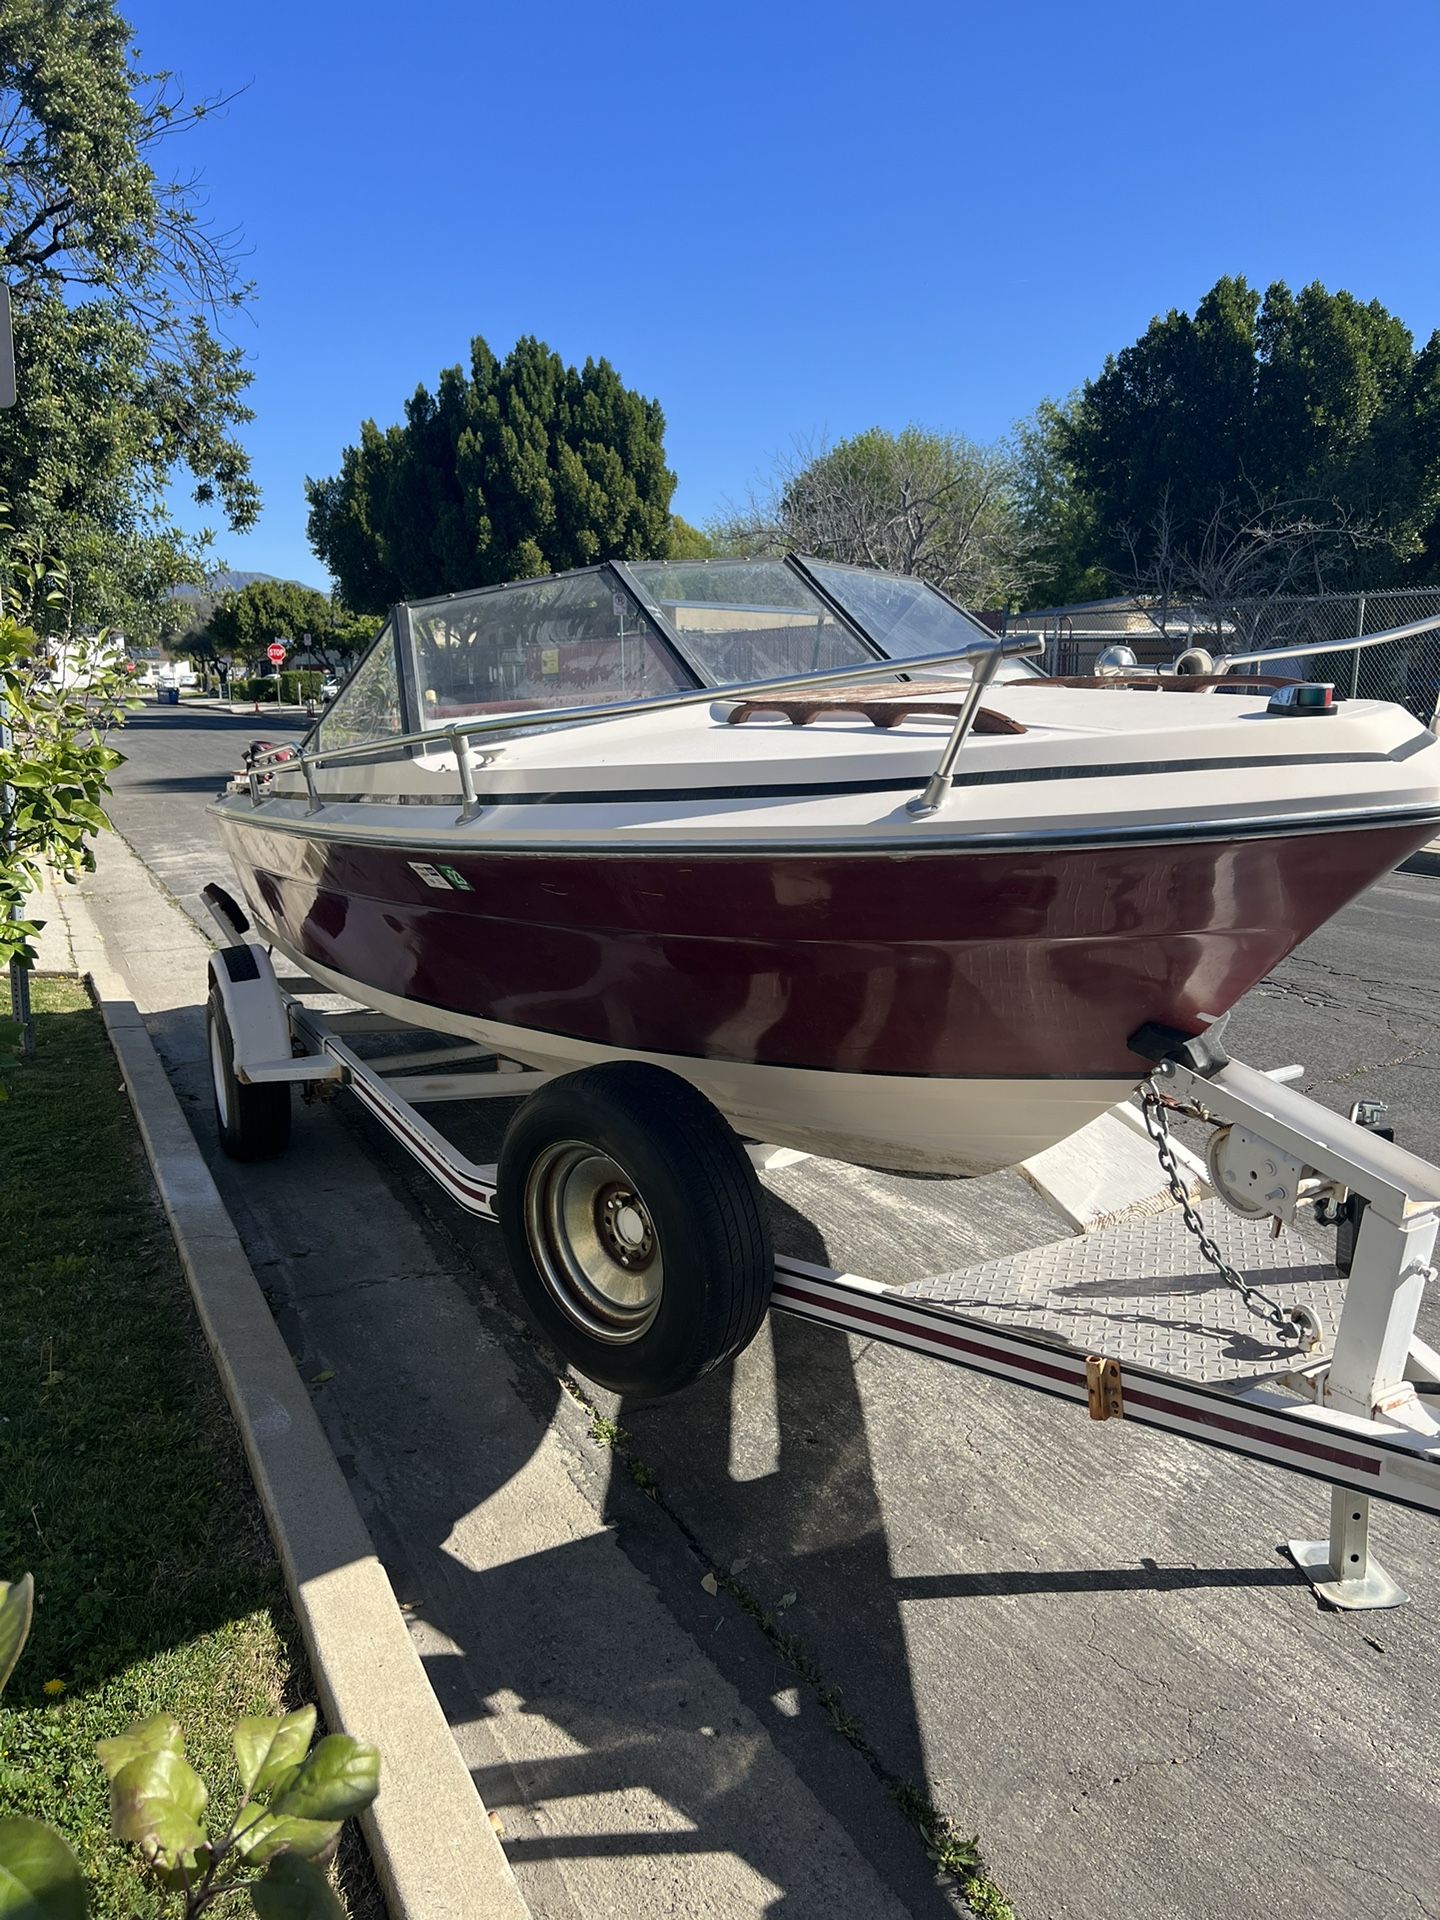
948	963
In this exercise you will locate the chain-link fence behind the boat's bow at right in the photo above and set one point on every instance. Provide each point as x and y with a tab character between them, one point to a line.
1404	671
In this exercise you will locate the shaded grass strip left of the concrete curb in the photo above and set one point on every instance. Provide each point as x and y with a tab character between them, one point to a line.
122	1481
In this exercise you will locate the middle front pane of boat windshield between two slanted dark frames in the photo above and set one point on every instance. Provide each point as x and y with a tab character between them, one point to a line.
744	621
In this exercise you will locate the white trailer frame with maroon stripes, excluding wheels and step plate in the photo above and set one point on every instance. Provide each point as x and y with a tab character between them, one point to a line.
1356	1422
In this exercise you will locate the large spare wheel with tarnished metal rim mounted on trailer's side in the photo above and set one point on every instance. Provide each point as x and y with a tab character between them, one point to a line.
635	1226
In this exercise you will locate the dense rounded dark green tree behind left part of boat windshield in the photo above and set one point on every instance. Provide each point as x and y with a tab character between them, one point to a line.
510	469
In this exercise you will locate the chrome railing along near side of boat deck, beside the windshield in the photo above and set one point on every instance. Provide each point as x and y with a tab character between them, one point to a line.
458	738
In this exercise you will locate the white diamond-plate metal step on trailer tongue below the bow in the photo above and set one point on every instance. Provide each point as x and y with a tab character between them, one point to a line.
1141	1293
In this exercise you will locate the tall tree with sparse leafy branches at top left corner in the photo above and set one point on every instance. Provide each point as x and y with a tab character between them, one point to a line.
120	297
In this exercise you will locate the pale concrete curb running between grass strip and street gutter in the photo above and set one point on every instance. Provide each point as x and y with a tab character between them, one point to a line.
429	1835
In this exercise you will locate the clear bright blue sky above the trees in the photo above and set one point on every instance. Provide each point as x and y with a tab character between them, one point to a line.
786	222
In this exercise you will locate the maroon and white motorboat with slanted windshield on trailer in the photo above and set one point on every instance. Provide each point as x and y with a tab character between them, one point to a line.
817	842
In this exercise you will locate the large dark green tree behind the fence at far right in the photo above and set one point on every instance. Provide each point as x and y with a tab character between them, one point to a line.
1305	425
